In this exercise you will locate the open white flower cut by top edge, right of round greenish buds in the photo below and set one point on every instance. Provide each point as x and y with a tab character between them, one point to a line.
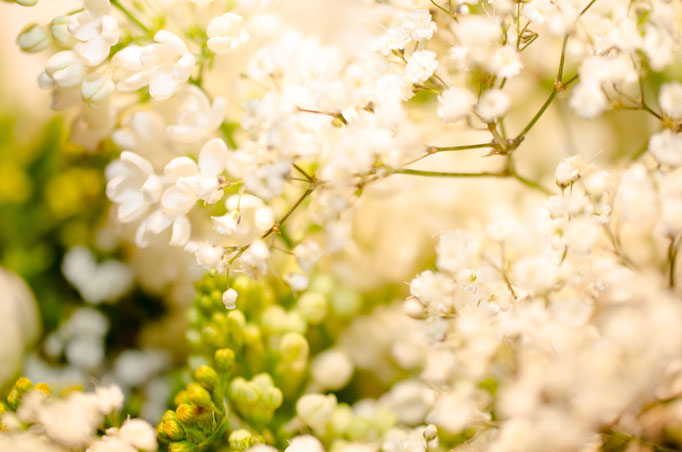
96	29
